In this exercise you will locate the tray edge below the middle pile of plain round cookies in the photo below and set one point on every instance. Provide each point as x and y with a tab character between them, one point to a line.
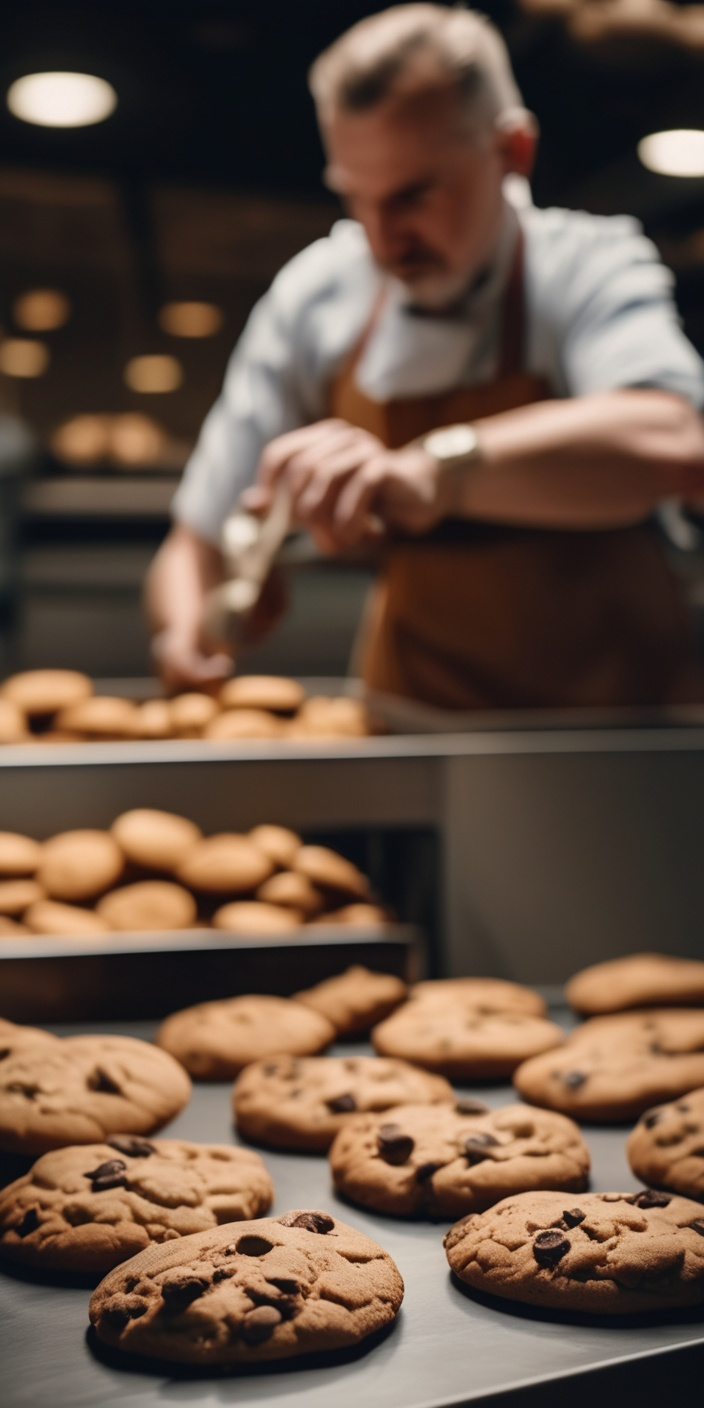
151	975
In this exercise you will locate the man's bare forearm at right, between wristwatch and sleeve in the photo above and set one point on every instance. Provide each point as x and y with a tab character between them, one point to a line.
588	463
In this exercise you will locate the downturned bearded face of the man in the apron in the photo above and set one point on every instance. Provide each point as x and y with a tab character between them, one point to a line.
427	194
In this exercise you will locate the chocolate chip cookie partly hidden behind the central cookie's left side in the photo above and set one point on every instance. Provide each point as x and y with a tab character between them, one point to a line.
302	1102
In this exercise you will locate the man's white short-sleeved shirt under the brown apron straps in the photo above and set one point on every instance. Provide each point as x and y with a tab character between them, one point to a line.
601	316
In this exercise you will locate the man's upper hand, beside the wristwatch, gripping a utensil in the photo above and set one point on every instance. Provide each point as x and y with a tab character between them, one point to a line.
343	481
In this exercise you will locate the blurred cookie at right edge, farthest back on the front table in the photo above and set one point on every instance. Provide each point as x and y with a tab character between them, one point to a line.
639	981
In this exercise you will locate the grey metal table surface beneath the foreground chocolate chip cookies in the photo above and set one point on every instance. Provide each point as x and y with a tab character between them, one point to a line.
447	1348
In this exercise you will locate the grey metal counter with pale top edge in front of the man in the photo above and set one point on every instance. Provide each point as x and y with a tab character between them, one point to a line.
557	847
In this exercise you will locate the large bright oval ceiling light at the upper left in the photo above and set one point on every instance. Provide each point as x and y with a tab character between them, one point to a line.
61	99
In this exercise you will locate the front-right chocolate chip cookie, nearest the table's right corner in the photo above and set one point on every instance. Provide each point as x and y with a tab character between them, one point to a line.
608	1254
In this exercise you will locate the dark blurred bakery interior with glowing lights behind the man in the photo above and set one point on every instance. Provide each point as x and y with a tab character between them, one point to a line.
136	241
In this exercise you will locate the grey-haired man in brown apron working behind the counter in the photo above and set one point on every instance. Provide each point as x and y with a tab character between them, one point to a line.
517	568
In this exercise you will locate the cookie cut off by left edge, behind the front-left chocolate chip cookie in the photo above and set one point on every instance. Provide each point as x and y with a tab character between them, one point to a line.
84	1089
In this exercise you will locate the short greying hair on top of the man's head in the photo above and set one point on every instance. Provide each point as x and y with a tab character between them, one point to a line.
417	46
